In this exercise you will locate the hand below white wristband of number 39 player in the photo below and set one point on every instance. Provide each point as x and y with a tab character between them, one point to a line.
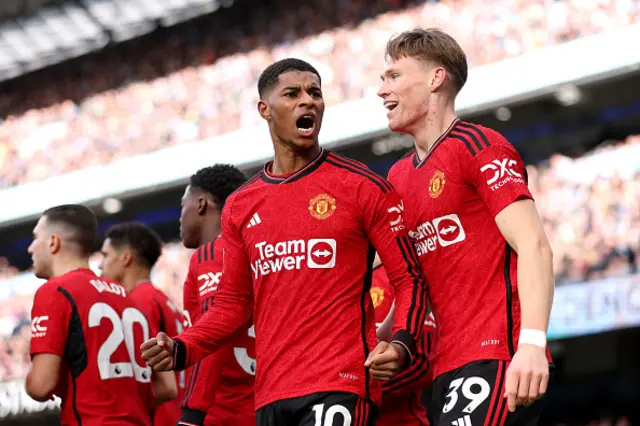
527	376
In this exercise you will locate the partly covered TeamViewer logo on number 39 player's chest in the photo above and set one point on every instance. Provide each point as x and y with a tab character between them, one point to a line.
440	232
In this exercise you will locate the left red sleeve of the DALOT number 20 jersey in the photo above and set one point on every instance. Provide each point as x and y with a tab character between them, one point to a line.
50	317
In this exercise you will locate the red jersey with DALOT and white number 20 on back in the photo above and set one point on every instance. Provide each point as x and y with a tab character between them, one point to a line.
90	322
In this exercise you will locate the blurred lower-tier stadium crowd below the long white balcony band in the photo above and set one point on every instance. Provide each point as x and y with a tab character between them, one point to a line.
591	217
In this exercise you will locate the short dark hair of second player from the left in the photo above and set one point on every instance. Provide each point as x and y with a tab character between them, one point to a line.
143	240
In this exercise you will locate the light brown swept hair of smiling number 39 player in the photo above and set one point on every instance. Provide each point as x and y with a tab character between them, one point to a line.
435	45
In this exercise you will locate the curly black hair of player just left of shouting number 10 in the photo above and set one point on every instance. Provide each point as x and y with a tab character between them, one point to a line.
219	180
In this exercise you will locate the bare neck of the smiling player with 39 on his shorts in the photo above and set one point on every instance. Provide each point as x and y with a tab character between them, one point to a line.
439	117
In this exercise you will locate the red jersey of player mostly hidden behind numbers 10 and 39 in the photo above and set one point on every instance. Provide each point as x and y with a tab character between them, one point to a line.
401	396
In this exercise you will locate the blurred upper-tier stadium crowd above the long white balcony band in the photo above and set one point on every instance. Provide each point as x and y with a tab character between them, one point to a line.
199	80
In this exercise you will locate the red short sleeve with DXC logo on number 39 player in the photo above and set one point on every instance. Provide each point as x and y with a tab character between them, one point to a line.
496	172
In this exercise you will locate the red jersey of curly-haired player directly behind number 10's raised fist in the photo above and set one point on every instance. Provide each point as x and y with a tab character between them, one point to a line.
221	384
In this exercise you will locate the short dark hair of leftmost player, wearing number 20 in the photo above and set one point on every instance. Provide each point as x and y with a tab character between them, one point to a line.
79	220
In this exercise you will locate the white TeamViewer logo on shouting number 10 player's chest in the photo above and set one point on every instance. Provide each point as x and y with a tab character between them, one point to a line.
294	255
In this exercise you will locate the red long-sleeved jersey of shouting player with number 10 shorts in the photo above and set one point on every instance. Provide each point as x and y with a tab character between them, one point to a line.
298	254
